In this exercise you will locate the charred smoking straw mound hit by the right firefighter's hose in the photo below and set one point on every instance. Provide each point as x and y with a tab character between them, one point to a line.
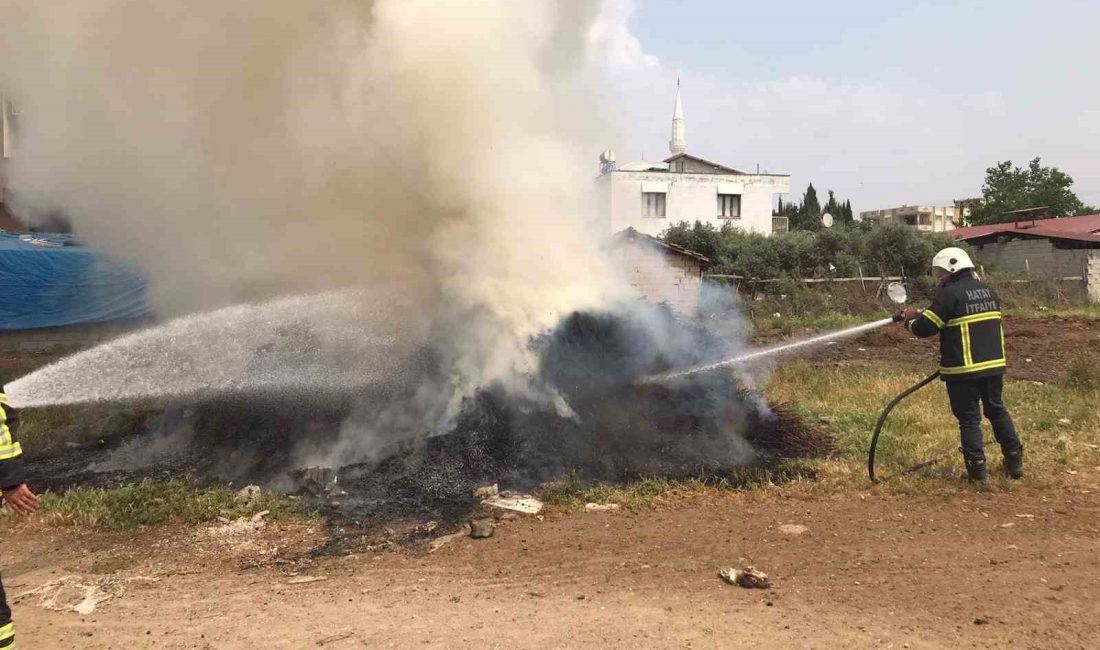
619	427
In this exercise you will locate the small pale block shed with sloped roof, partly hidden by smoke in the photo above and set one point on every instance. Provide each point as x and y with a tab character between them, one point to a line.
662	272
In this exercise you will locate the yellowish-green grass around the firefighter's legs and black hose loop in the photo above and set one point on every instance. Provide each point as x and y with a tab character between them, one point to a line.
1060	425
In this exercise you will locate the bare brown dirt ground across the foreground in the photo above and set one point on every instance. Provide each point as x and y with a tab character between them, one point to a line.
973	570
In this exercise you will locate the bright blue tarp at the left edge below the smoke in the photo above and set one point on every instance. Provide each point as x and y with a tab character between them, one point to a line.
48	287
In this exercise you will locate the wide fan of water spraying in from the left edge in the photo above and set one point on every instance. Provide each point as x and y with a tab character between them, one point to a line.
333	341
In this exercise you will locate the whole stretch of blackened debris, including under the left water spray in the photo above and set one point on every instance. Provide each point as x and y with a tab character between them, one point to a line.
592	415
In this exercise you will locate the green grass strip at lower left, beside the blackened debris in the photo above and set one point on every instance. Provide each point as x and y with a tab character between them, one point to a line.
149	503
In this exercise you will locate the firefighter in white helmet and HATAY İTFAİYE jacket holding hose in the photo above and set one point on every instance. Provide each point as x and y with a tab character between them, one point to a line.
967	316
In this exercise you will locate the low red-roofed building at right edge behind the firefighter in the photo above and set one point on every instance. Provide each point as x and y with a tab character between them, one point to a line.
1065	248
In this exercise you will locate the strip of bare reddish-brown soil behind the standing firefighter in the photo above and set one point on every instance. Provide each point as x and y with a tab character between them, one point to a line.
1038	349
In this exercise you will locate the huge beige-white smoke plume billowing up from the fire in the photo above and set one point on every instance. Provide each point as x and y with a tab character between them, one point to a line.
250	150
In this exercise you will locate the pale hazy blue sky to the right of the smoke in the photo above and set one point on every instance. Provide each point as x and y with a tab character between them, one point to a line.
885	103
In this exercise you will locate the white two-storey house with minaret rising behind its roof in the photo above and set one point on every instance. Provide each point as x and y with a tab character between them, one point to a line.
650	196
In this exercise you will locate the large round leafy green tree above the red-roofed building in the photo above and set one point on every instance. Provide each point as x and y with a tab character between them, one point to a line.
1009	189
